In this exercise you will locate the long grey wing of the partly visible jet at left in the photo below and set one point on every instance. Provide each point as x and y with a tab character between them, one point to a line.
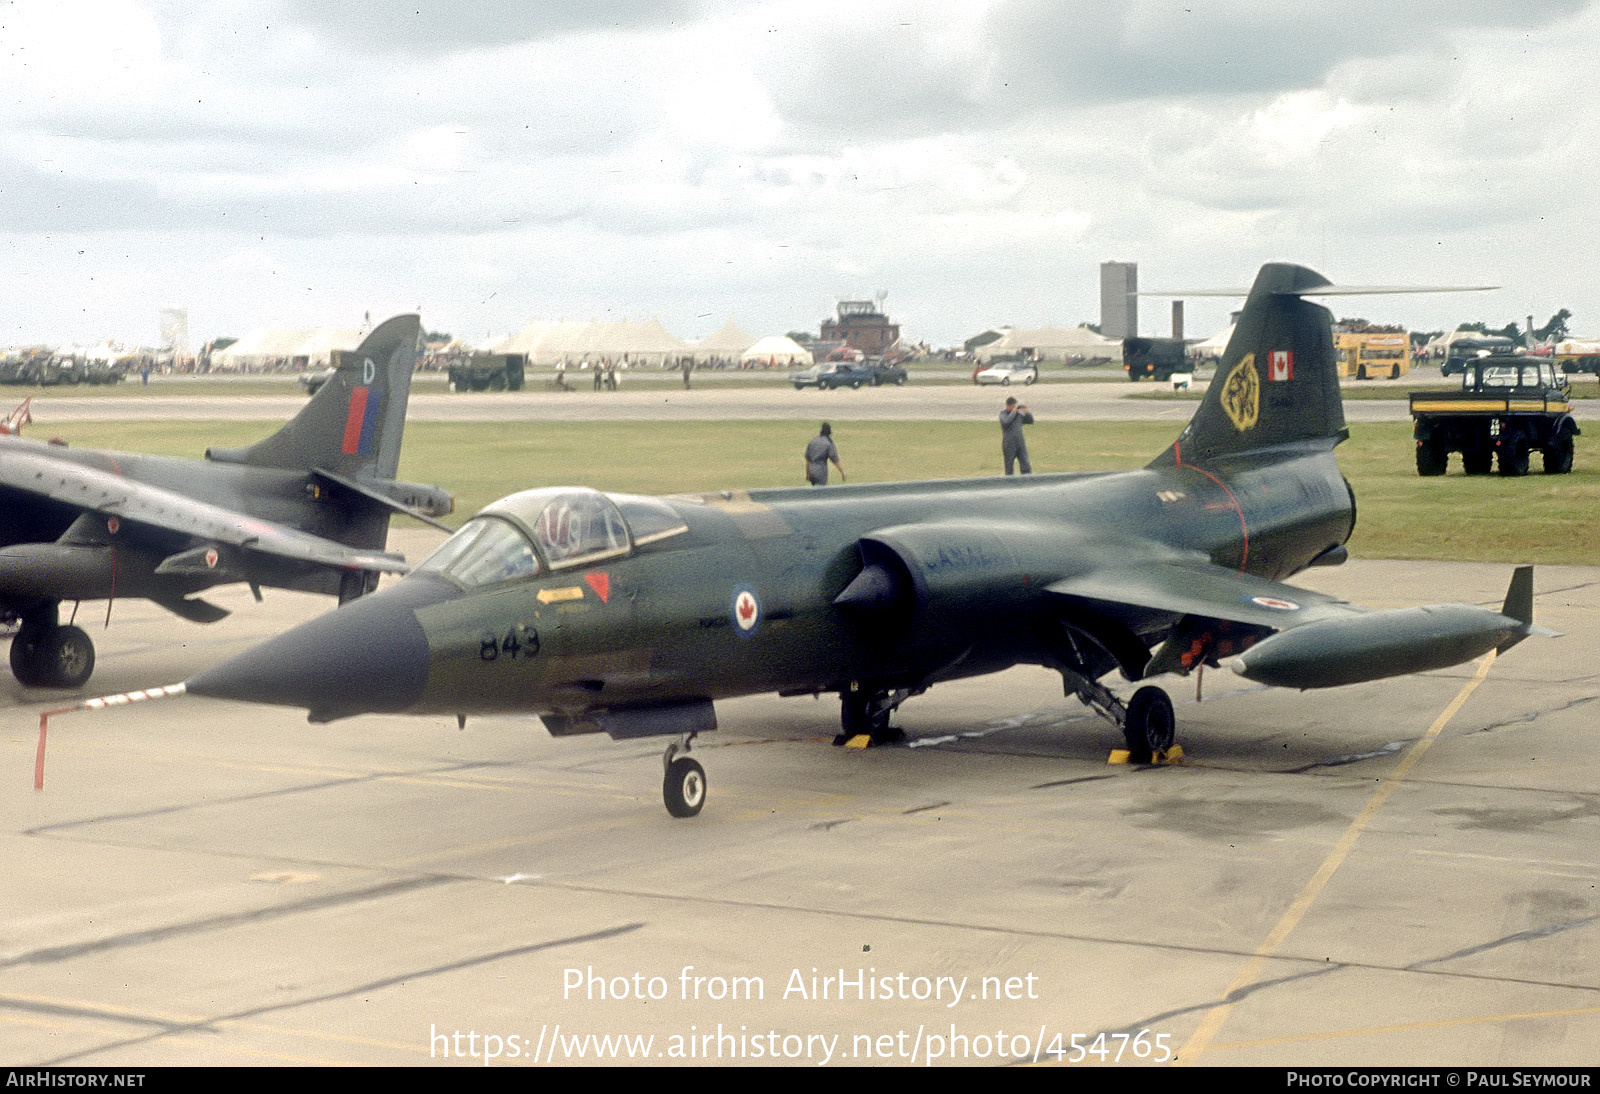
102	492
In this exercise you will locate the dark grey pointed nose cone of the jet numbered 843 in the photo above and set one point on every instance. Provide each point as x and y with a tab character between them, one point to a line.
369	657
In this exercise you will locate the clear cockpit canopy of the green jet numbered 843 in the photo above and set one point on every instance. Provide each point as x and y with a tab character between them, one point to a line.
553	529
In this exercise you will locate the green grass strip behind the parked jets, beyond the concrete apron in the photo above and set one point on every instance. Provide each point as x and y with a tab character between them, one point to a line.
1399	516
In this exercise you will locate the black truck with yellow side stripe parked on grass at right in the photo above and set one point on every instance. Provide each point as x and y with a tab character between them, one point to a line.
1508	407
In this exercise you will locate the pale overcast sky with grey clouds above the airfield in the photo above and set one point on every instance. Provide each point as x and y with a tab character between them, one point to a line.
302	162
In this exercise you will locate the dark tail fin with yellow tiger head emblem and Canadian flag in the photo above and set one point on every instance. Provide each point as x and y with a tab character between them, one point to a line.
1276	383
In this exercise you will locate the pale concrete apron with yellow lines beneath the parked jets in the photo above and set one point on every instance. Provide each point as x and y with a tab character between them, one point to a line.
1399	872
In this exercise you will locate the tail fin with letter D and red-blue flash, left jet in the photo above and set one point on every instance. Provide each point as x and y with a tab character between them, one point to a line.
353	426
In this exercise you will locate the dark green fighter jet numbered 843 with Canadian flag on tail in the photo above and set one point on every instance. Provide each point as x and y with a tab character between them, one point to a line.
634	615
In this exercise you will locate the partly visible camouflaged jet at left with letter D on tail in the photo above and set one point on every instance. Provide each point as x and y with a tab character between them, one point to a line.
303	509
